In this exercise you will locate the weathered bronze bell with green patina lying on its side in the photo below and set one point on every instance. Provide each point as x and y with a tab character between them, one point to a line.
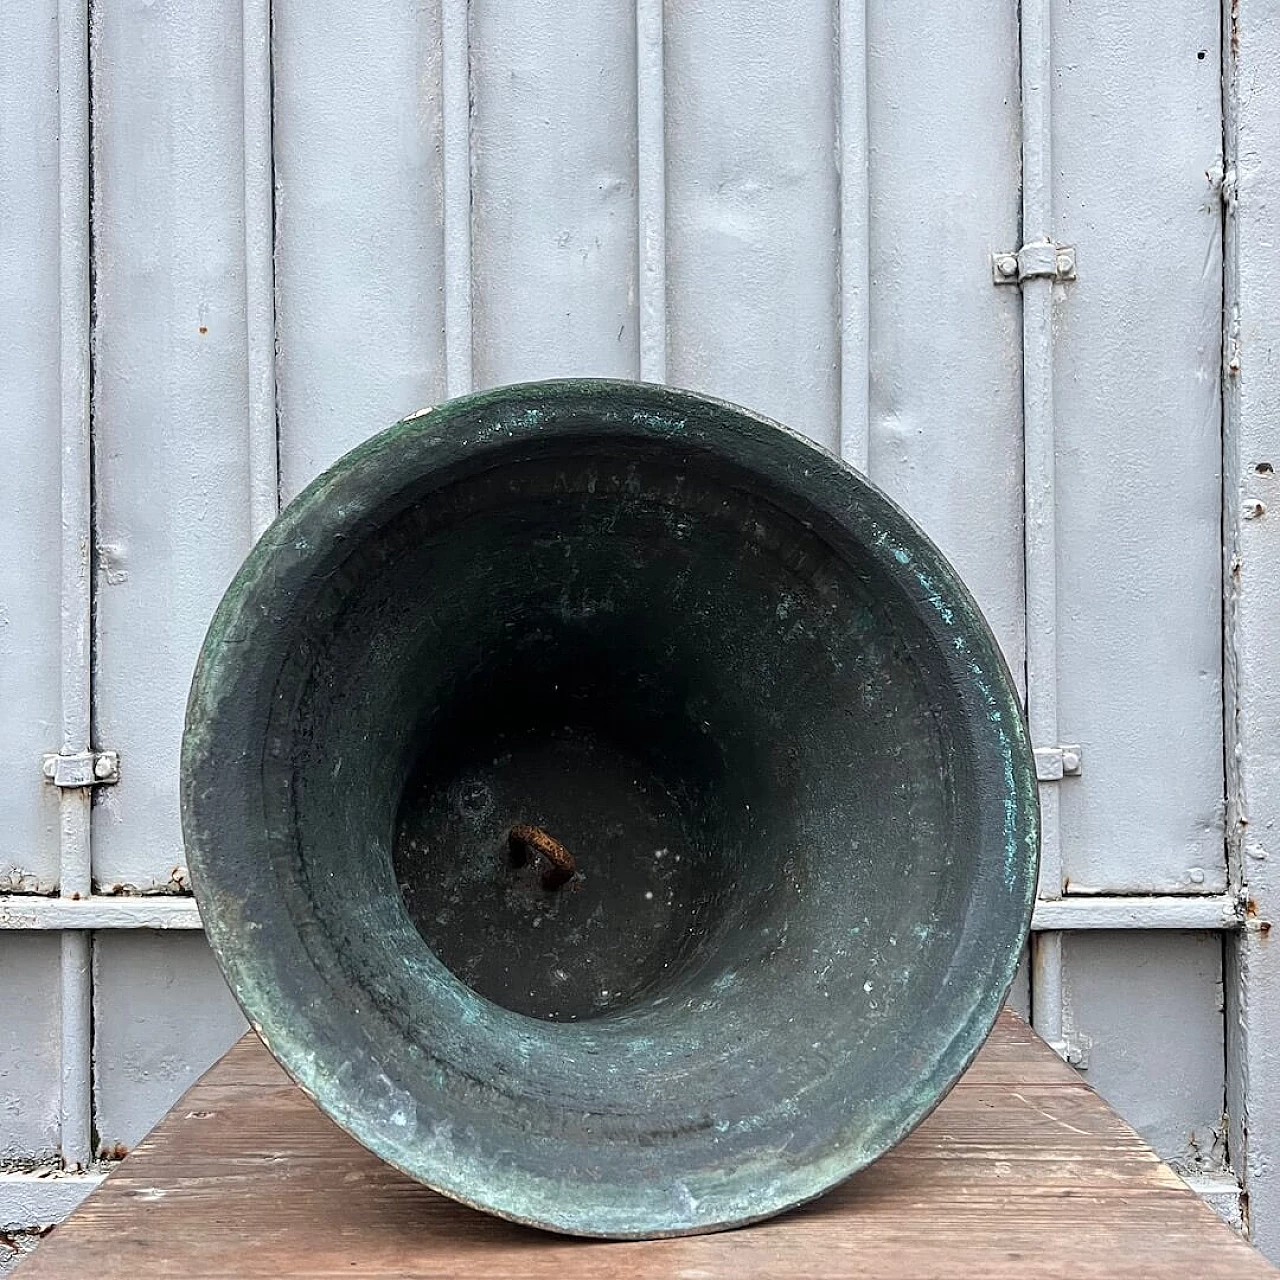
610	808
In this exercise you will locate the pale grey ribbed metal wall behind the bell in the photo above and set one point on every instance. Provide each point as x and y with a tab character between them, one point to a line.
790	207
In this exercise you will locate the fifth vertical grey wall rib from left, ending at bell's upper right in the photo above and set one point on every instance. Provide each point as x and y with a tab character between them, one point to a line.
853	260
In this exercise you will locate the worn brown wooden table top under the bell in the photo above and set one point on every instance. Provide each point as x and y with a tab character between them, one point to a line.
1022	1172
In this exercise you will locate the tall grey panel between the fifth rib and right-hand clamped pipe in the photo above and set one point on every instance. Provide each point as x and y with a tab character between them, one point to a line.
947	391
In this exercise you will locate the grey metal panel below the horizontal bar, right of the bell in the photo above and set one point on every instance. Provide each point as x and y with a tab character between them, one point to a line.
1154	1043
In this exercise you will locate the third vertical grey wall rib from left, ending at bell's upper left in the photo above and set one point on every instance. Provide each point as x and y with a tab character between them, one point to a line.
456	107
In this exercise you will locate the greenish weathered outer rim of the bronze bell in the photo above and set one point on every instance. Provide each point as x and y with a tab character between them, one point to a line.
237	959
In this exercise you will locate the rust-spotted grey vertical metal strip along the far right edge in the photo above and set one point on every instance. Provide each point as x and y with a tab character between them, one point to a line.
1252	523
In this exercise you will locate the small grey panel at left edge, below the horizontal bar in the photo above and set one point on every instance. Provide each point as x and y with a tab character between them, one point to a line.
29	1048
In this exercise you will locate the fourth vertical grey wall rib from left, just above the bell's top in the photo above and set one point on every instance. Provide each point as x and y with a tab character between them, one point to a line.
652	190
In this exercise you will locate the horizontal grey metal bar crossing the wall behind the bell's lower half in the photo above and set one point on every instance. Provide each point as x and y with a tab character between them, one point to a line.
1210	912
